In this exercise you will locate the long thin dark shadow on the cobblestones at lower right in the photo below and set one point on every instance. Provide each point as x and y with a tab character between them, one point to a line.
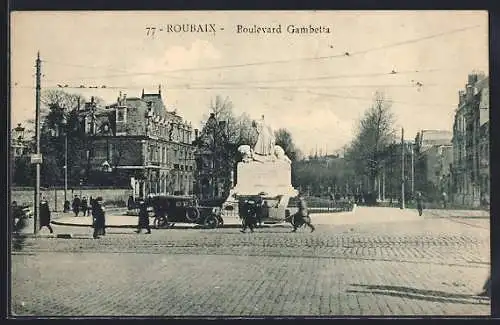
420	294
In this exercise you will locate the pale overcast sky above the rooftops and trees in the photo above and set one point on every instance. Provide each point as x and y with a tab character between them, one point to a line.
318	99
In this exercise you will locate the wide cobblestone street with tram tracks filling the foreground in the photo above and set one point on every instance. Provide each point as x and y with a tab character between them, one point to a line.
428	266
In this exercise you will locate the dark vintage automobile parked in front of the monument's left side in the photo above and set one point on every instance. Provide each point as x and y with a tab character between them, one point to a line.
170	209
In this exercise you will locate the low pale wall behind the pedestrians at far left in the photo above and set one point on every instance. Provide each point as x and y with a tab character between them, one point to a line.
25	196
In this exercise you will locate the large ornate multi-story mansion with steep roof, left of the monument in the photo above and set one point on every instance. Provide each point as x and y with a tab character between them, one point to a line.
136	142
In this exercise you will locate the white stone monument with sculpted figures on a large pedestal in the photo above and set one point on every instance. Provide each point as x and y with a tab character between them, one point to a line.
264	170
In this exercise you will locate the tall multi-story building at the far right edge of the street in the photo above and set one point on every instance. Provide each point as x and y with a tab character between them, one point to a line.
469	136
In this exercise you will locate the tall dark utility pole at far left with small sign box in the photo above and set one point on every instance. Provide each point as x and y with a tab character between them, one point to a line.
37	137
